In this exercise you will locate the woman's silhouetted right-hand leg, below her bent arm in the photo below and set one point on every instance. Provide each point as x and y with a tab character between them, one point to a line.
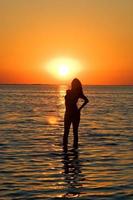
75	123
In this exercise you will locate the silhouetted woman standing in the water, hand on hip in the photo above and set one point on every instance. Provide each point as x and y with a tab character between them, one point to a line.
72	113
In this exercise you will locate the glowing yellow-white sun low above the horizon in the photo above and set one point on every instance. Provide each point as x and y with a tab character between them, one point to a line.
63	68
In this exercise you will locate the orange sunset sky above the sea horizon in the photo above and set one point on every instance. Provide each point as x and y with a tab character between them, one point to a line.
93	38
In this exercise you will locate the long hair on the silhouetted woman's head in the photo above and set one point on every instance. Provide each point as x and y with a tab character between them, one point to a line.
77	86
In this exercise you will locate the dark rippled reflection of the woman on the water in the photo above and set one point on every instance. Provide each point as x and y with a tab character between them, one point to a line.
73	176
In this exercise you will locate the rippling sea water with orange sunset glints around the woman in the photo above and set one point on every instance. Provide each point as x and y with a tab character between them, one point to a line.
32	162
